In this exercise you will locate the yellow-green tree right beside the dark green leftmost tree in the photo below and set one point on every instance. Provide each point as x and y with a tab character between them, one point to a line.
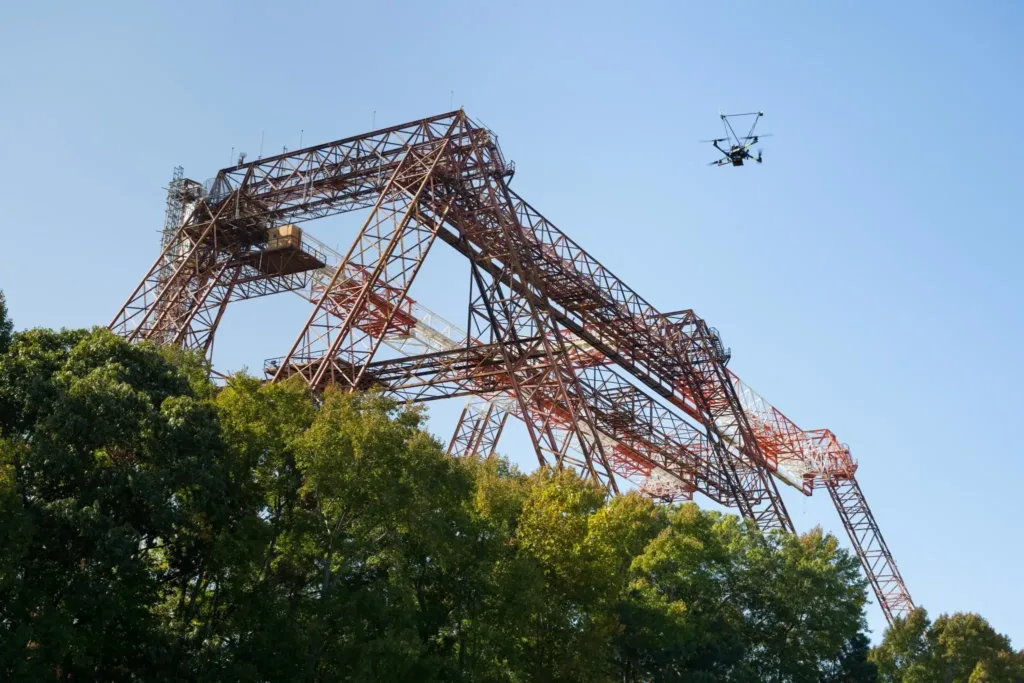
365	561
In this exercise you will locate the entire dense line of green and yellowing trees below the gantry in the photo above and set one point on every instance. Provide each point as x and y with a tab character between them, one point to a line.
154	528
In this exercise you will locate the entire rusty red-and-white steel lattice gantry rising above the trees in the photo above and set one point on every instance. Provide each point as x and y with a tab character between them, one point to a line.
605	382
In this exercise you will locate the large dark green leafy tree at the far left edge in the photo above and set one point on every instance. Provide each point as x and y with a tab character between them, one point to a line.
112	493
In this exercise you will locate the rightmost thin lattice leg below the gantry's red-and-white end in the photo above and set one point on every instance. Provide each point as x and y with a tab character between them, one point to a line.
872	549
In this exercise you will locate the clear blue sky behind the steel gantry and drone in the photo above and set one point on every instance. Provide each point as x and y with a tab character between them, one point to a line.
867	276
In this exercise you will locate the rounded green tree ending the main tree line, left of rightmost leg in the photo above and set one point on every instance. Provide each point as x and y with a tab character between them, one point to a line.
712	600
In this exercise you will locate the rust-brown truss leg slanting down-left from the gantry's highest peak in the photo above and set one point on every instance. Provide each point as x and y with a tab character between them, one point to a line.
337	341
